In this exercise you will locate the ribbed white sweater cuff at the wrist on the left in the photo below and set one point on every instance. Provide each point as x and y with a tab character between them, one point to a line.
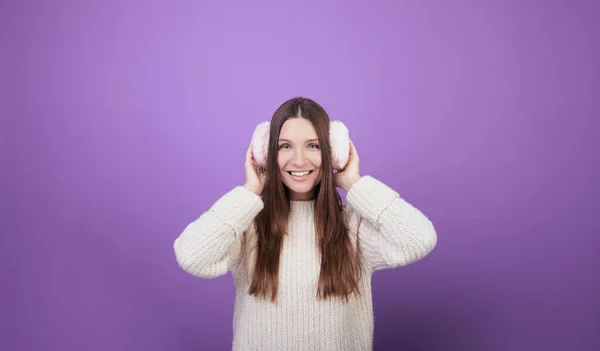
238	208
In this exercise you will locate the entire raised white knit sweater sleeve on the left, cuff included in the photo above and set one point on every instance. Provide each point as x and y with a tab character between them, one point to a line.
208	246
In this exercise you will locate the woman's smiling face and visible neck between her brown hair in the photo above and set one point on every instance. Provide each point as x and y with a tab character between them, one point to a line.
299	158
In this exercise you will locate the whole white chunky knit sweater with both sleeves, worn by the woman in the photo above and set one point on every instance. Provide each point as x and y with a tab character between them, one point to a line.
391	233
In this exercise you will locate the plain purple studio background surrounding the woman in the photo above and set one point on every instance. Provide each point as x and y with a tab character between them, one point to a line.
123	121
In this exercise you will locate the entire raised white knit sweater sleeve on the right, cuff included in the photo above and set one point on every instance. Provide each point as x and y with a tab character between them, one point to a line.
393	233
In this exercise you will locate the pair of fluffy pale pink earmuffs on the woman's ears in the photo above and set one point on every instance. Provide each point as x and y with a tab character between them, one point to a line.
338	138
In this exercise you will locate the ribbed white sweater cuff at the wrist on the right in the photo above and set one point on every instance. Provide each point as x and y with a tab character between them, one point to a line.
370	198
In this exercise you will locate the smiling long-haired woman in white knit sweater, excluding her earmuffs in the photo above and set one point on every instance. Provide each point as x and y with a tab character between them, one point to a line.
301	260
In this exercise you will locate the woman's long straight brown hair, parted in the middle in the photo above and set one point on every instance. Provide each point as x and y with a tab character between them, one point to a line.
340	261
